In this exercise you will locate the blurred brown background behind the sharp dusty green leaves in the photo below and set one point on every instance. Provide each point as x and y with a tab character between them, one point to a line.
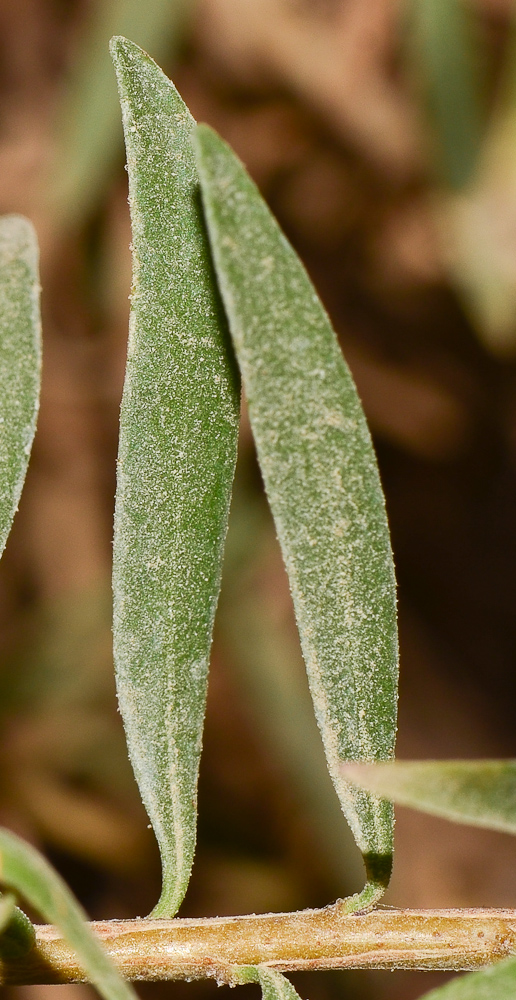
383	134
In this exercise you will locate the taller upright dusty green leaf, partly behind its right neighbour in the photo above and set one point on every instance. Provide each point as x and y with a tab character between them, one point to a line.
178	430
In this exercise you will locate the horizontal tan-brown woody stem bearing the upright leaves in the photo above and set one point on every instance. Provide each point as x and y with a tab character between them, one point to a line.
307	940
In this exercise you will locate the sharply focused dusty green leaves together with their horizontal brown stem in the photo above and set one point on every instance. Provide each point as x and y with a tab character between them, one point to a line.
218	295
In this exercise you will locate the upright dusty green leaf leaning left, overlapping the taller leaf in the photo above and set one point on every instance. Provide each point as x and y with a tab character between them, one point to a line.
322	481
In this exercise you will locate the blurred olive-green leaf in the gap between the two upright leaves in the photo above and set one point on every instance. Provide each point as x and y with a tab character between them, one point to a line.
264	655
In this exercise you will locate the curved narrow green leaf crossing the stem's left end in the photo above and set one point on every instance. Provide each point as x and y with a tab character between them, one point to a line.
26	871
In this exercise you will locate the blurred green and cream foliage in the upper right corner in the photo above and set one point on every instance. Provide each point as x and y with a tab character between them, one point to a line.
473	158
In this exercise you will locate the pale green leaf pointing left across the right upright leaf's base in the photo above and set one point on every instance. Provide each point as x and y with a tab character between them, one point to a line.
477	792
